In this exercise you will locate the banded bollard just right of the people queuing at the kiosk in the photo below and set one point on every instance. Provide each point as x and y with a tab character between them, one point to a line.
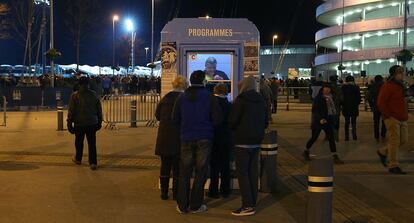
268	163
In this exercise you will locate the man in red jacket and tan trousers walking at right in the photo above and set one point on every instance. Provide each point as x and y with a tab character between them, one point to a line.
394	109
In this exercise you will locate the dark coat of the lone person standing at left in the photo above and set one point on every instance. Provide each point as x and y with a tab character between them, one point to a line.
84	108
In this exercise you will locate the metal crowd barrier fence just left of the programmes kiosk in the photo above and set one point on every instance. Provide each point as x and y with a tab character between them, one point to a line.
124	109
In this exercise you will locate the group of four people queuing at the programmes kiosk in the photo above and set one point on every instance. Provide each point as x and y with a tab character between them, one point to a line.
211	132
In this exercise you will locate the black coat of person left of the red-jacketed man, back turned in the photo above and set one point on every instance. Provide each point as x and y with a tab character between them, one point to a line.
351	100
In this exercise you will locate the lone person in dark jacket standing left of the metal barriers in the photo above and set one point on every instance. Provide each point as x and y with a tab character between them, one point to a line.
85	118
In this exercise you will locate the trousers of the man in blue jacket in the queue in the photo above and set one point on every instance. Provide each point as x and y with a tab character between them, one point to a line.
194	155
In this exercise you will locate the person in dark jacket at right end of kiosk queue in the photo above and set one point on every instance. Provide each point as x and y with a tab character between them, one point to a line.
248	122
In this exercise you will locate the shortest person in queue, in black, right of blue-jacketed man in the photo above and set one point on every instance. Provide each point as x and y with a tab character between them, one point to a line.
222	144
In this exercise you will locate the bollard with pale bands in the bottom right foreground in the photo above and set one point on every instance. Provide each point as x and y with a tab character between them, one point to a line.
320	188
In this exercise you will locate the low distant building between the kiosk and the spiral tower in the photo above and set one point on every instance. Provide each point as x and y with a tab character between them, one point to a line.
294	61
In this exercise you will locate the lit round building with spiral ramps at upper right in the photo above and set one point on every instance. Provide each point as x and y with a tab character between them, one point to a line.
373	33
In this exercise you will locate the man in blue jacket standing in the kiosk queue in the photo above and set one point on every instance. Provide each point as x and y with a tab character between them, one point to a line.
197	112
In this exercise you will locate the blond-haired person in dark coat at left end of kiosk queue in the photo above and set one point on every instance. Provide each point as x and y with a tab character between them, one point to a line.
168	139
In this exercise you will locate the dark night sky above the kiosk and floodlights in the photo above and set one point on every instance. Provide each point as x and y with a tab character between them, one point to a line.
270	16
